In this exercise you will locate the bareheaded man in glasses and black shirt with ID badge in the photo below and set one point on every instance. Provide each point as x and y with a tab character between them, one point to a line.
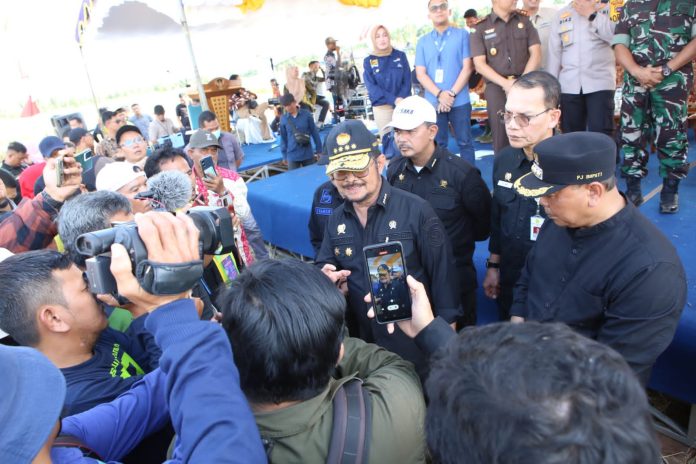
531	115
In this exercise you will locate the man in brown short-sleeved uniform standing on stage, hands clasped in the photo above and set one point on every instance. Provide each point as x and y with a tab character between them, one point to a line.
504	46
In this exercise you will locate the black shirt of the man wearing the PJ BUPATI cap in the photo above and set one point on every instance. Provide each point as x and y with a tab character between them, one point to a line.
619	282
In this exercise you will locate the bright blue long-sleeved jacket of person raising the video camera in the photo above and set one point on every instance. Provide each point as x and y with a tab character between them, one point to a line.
213	424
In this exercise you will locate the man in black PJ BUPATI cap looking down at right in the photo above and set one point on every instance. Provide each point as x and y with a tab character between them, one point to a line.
599	265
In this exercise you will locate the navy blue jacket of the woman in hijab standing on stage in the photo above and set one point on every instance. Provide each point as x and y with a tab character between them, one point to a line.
387	77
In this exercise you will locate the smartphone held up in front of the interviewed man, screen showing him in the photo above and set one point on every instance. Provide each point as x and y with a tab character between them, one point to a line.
391	298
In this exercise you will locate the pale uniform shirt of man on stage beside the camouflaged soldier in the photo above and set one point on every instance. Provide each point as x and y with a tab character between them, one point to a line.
580	54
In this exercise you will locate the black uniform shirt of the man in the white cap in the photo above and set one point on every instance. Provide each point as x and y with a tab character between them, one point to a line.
460	198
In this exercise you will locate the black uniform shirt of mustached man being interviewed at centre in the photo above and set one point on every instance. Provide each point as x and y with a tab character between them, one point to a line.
397	216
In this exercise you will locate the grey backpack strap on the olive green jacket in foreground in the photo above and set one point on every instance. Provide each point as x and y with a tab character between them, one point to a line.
352	424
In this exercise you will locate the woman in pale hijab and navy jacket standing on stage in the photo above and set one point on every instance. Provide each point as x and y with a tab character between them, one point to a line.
387	76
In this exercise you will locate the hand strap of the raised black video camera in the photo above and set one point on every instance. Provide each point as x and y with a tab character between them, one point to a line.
168	278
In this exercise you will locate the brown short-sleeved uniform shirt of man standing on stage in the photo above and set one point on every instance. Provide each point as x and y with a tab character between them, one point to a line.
505	44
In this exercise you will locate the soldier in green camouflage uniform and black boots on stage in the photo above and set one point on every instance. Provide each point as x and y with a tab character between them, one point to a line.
654	42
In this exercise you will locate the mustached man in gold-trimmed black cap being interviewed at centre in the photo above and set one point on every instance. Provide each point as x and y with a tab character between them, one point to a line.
375	212
